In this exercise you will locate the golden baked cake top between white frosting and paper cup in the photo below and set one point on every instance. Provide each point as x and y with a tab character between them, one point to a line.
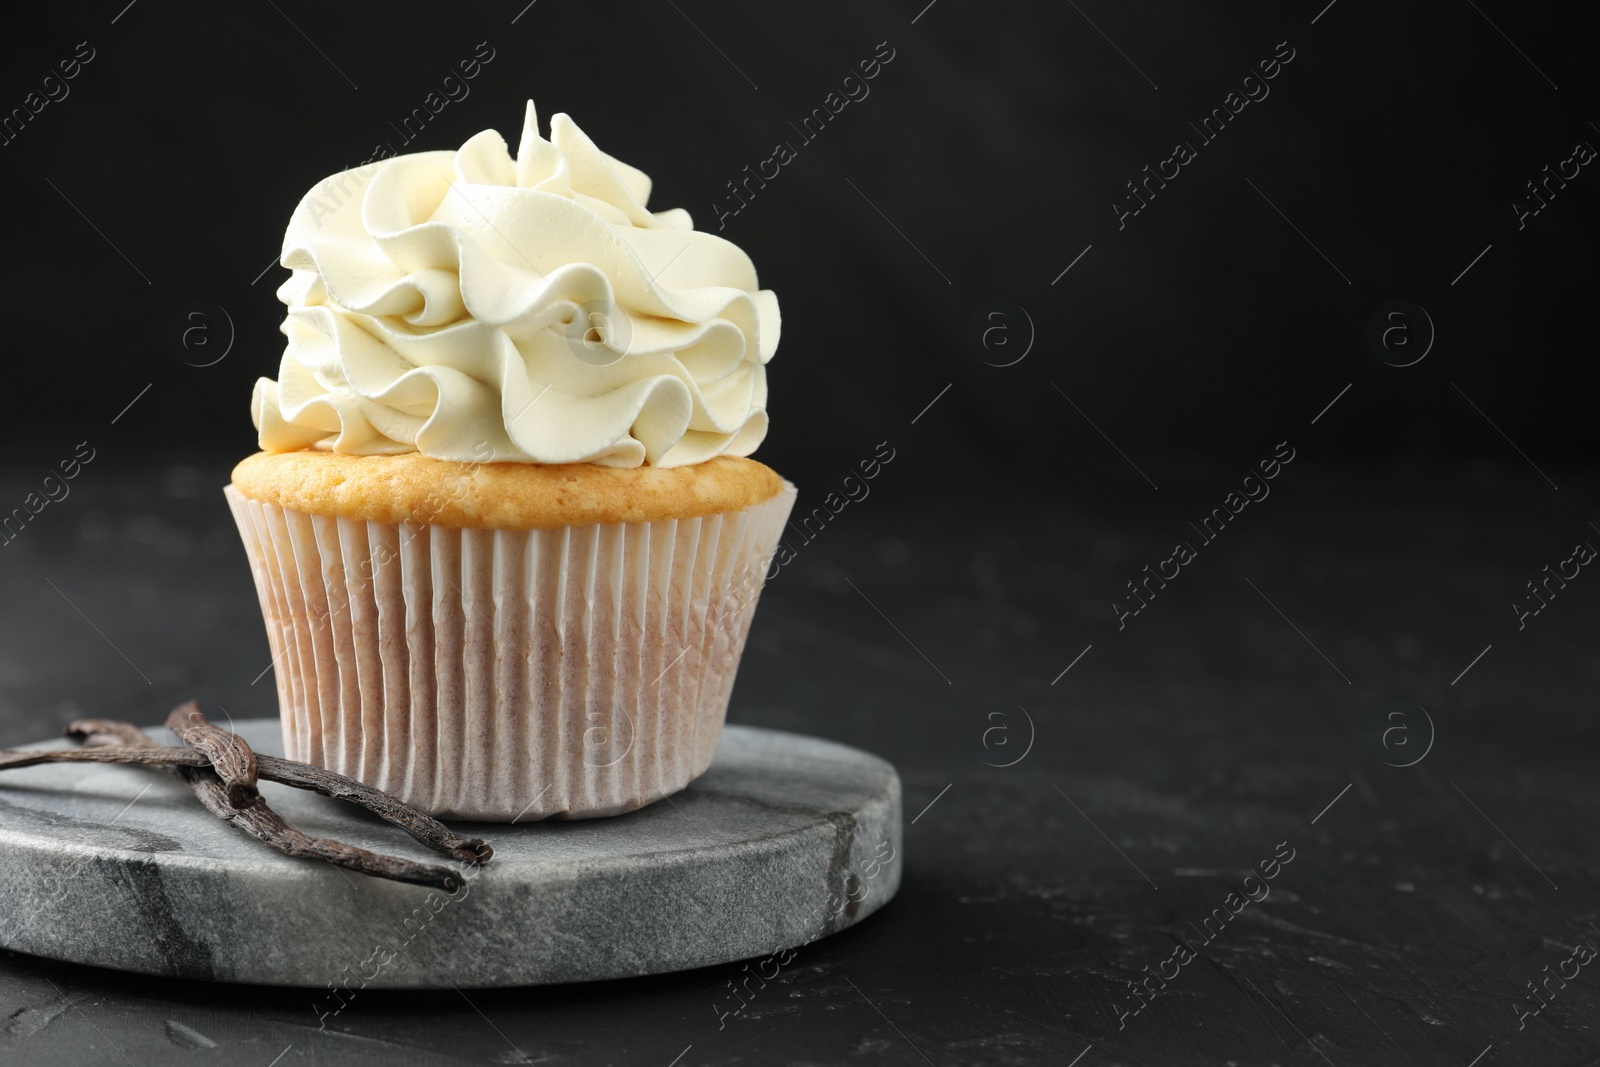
415	489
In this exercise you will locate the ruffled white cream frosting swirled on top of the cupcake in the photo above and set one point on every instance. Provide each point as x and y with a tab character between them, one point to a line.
478	308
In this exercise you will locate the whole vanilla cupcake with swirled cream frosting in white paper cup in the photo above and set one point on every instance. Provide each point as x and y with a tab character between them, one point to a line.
505	527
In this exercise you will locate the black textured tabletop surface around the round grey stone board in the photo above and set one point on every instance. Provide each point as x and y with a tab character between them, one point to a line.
1210	794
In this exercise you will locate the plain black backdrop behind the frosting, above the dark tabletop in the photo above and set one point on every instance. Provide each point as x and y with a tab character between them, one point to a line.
996	142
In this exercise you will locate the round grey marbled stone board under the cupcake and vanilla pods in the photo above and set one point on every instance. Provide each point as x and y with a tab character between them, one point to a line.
785	841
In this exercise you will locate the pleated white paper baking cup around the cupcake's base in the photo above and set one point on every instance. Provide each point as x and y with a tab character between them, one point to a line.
510	674
